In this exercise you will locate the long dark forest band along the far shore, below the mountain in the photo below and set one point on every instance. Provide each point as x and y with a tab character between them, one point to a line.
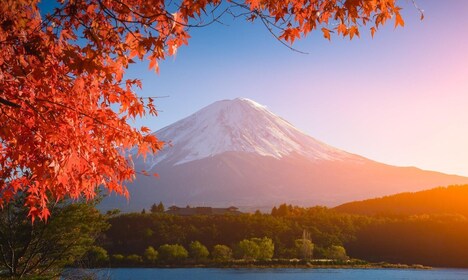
435	240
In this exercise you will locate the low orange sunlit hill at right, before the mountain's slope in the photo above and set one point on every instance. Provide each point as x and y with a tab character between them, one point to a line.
442	200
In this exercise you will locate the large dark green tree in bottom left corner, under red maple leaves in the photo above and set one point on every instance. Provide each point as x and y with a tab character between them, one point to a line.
44	248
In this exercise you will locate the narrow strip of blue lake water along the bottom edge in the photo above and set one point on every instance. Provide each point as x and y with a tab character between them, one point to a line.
278	273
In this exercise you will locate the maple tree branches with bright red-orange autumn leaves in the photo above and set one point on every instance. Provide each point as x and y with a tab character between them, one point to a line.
65	106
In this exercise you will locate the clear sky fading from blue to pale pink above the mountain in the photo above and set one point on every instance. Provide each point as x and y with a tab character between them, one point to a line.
400	98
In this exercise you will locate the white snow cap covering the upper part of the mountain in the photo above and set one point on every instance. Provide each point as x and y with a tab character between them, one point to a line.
238	125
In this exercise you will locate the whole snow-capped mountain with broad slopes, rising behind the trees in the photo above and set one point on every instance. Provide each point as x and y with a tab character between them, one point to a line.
236	152
